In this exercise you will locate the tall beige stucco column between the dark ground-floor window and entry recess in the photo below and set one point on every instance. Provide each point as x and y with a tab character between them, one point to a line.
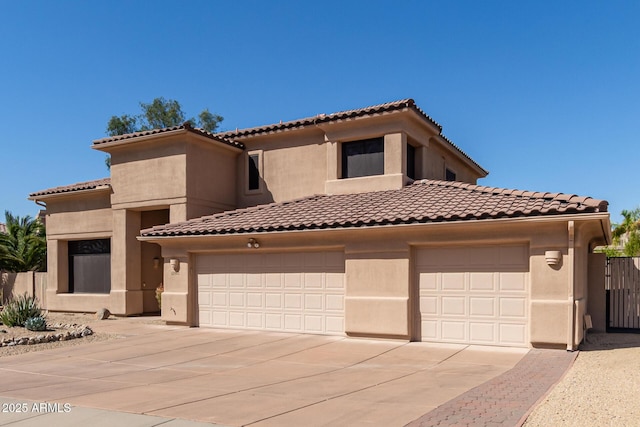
126	286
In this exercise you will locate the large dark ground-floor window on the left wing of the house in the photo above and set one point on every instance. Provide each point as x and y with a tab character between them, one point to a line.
90	266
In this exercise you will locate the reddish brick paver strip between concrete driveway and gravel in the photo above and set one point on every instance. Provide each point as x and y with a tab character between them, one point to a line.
506	399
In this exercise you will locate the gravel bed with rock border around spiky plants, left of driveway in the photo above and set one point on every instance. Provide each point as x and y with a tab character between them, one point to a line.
53	318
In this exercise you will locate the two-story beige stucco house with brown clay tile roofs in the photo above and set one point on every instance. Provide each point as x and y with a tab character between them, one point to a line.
366	222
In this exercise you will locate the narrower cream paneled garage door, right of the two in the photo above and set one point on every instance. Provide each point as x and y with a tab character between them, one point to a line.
474	295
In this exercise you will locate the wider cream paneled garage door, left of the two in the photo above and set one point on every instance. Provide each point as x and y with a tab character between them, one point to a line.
301	292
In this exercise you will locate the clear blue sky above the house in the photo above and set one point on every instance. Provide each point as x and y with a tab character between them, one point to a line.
543	94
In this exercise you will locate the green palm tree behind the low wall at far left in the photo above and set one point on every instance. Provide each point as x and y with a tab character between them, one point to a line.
23	247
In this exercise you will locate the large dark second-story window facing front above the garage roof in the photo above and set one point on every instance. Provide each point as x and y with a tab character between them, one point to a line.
363	158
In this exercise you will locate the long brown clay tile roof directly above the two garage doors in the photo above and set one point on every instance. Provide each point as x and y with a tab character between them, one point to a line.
422	202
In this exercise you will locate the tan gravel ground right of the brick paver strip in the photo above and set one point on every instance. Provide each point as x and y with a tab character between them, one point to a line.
600	389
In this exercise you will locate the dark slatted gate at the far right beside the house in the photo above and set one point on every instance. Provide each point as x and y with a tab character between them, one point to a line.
623	294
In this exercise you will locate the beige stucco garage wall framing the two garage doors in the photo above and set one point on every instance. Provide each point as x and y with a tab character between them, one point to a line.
380	297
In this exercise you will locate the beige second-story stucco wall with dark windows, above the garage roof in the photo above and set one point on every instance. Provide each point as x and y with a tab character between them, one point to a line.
381	152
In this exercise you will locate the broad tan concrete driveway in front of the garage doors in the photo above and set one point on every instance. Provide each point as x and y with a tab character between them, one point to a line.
238	378
